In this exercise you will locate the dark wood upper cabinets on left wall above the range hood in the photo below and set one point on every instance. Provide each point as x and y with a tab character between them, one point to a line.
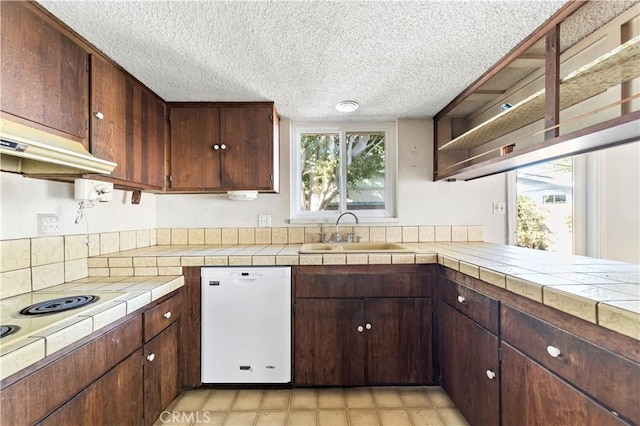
55	81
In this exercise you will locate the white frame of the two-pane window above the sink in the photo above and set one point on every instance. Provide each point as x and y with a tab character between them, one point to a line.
391	170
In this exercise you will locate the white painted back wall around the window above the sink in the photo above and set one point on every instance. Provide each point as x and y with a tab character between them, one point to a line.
420	201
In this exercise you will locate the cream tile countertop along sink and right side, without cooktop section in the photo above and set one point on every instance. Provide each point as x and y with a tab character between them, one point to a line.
603	292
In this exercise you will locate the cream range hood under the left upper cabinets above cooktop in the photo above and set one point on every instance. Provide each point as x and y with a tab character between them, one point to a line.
32	151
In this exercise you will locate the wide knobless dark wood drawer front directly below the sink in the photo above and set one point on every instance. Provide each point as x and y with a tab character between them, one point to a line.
360	282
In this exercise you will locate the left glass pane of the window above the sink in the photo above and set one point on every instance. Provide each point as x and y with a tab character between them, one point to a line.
320	169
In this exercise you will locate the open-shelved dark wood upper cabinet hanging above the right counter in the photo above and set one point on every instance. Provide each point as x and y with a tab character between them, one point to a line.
569	88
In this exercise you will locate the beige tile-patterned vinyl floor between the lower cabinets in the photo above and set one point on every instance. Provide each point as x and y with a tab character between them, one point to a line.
364	406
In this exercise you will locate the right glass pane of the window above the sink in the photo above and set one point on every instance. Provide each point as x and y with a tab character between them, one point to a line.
366	171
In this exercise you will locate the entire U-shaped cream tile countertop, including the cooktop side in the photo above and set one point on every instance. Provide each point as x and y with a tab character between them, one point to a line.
600	291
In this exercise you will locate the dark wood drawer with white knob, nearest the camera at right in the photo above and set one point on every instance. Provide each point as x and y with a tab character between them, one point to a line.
607	377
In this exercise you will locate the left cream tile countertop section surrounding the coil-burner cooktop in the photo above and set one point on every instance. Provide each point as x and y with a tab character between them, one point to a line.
131	294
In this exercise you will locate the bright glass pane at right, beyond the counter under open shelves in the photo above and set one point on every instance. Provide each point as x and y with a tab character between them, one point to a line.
545	206
